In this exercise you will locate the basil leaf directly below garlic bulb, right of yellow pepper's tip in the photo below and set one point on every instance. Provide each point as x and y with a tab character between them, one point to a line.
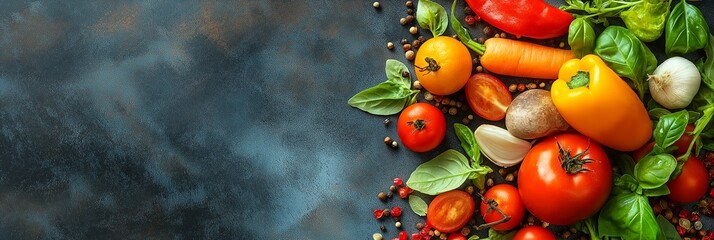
670	128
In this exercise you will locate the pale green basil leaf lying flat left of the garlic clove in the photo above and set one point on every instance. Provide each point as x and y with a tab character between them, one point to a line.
445	172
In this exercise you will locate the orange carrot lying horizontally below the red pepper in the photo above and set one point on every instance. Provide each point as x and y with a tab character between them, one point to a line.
522	59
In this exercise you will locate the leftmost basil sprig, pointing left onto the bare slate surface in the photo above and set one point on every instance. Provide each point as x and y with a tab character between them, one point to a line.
390	96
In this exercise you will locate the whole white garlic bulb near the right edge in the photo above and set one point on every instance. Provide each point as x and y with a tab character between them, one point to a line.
674	83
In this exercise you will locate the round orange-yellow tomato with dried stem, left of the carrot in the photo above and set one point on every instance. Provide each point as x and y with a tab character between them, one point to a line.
442	65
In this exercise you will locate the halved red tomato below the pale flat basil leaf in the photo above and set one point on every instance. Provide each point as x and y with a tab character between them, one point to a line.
450	211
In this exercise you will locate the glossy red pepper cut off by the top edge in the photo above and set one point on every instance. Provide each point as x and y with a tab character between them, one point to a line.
529	18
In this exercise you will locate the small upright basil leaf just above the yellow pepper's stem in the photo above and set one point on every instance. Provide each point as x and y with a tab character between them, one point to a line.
581	37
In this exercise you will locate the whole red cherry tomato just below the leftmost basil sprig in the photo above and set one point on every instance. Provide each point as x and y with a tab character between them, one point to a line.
421	127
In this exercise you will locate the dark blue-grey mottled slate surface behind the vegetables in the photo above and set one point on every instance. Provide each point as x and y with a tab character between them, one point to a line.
209	119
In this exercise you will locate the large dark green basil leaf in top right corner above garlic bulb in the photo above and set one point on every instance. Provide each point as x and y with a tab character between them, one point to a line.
686	30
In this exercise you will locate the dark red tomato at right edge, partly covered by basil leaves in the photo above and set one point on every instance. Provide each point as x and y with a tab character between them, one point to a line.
691	184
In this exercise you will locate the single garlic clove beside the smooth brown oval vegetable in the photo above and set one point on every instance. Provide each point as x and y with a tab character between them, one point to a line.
499	146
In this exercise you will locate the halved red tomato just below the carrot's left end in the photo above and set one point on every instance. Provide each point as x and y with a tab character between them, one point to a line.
487	96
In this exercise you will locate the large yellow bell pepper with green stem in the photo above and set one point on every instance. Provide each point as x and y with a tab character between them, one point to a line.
599	104
